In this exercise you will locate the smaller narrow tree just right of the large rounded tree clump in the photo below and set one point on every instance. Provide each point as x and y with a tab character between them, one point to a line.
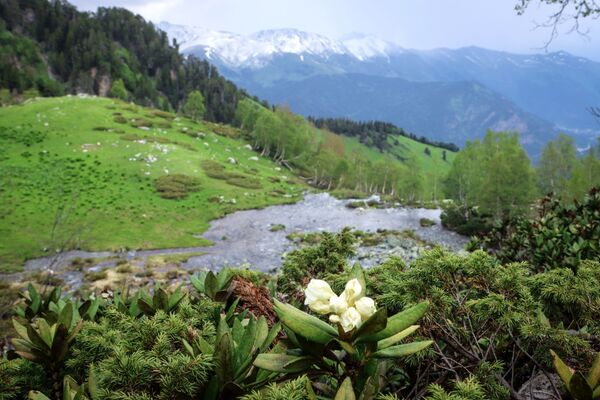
556	166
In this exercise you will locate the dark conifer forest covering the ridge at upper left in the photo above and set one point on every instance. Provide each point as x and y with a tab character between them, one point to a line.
86	52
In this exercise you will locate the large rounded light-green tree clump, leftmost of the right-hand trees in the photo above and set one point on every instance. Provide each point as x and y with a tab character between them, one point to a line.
494	174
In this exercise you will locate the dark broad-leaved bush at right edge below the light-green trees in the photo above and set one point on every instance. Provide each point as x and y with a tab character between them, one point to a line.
560	236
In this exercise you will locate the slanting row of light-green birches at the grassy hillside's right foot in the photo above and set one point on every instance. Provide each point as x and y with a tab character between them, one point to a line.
321	156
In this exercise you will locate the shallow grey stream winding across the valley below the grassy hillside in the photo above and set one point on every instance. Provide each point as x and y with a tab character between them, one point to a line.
244	238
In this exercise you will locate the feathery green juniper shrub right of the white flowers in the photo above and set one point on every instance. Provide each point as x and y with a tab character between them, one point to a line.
487	318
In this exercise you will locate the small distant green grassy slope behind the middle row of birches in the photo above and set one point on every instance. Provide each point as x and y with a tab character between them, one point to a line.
433	168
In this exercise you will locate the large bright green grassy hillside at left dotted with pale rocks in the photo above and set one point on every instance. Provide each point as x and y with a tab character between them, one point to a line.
104	179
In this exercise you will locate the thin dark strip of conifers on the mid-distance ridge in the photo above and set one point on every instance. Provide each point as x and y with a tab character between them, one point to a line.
374	133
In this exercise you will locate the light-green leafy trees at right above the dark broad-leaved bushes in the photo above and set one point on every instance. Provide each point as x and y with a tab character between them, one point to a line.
495	176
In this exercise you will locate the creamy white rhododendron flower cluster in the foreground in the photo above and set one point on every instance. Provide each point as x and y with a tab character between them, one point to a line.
350	309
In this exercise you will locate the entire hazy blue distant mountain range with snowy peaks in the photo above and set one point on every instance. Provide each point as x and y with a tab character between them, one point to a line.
450	95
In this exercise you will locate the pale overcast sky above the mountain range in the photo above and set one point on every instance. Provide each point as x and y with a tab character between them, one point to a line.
419	24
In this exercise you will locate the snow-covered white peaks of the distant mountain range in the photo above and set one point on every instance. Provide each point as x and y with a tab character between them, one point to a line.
255	50
